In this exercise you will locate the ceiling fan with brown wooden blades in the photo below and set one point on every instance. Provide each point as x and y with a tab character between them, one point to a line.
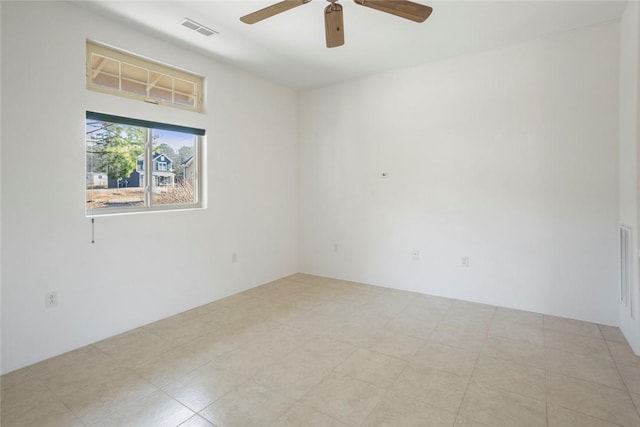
333	14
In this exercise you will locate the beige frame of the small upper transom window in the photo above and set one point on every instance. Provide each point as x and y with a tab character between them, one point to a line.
150	66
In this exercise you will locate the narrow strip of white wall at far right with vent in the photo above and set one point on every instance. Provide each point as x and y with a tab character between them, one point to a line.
629	141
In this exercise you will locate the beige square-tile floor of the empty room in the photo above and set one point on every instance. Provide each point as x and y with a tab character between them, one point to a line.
311	351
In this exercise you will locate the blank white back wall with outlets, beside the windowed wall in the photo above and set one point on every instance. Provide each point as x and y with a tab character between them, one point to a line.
508	157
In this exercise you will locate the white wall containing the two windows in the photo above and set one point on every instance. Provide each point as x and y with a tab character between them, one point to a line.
128	278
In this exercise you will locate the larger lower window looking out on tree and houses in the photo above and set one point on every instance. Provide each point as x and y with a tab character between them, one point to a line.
117	152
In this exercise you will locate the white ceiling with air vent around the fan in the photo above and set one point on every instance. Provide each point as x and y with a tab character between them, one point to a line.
290	49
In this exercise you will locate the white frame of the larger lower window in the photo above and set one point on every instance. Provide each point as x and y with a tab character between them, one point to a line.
147	184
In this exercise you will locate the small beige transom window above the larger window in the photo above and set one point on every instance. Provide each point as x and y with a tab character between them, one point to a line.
120	73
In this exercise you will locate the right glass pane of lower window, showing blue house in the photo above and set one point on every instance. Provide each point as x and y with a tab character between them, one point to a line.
173	168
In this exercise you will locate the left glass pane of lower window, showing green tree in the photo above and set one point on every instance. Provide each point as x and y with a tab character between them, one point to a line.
115	165
